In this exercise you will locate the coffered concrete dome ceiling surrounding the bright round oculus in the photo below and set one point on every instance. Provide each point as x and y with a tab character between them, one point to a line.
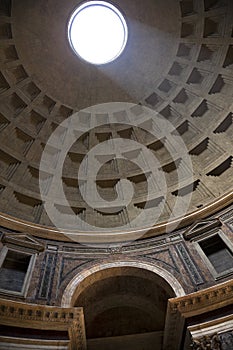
163	111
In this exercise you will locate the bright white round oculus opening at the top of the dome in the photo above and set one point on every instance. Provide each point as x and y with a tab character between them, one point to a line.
97	32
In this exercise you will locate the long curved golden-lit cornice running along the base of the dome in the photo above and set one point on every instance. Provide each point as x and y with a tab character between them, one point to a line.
113	237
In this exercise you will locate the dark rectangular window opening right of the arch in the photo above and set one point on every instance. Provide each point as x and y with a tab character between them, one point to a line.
218	253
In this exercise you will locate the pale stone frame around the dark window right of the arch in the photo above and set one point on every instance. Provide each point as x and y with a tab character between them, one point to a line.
205	258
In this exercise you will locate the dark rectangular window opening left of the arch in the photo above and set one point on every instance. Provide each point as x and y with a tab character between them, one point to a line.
14	271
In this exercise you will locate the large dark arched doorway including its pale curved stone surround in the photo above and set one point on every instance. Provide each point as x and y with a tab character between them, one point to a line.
124	305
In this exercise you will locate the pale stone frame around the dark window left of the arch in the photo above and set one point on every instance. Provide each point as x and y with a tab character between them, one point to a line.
3	254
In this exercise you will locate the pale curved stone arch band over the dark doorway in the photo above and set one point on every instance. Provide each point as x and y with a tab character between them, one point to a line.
68	295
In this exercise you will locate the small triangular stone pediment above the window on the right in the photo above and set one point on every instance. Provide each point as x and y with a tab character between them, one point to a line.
200	227
